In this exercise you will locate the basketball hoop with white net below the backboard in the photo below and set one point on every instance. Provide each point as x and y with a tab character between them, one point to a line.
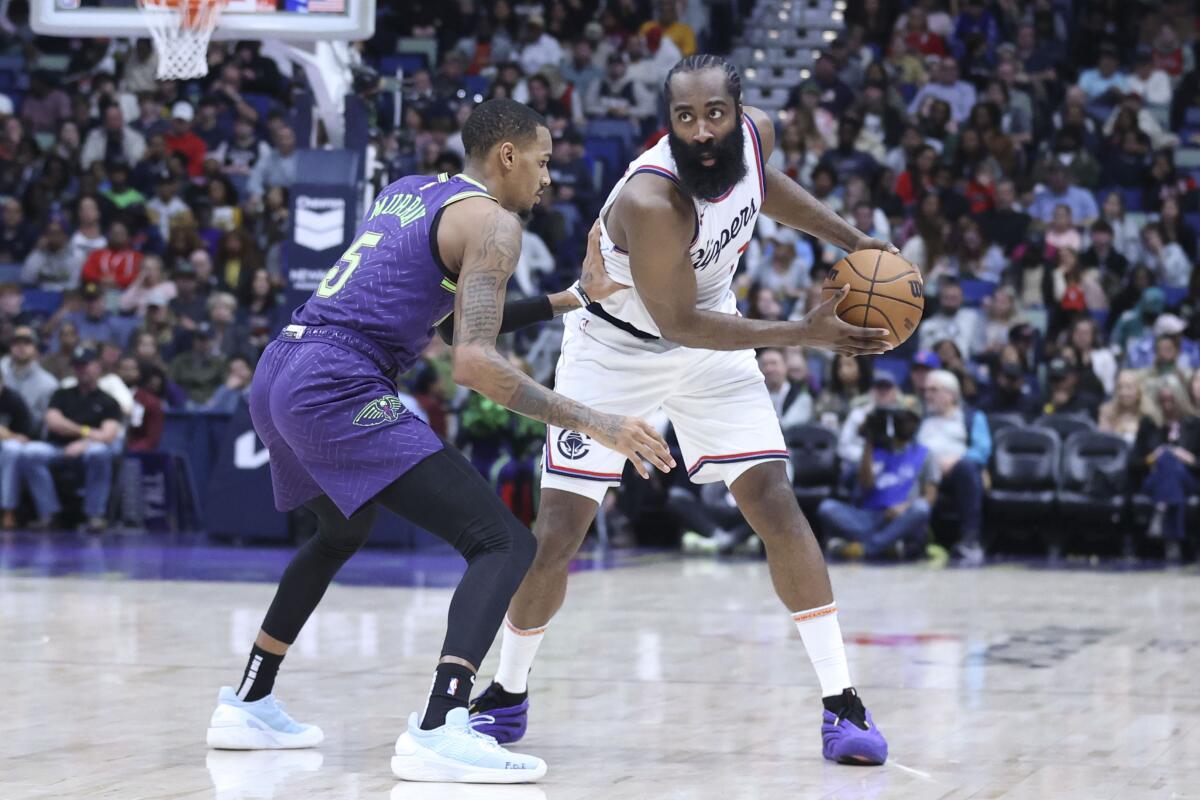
182	31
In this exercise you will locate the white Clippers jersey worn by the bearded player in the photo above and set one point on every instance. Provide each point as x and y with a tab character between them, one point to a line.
724	228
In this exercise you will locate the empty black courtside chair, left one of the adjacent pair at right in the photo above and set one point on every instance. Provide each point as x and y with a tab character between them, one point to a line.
1025	473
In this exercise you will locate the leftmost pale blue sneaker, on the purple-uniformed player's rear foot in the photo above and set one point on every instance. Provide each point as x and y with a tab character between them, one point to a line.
262	725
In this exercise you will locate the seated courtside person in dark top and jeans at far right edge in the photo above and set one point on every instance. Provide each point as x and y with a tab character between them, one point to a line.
1165	460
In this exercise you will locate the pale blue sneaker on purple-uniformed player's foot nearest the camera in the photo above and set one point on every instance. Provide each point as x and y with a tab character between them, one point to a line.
458	754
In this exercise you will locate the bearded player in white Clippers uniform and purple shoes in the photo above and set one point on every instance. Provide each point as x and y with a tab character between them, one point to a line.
674	228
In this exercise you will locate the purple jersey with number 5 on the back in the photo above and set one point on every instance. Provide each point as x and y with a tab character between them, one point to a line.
391	286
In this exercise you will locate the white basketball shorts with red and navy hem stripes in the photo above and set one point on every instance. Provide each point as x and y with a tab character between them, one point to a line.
717	401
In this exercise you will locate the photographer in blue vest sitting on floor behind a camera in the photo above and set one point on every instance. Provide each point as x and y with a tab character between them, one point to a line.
891	518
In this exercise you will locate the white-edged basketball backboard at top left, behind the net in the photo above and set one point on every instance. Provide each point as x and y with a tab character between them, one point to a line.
284	20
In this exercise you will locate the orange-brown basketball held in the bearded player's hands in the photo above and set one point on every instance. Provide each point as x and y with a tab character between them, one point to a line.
885	292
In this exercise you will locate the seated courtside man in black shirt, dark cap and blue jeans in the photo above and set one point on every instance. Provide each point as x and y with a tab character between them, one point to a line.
83	425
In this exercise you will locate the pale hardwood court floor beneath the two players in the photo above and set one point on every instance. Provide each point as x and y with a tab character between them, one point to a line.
670	678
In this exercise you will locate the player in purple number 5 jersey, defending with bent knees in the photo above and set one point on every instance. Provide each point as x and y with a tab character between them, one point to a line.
343	444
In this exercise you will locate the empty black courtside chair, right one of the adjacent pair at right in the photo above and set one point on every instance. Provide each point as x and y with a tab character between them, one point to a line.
1093	485
